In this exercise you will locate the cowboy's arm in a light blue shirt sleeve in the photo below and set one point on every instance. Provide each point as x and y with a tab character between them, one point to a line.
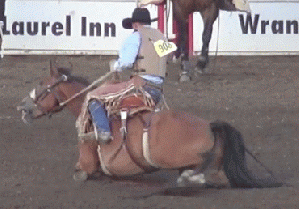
128	52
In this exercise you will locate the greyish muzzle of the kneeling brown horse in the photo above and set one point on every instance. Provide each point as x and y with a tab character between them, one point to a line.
29	110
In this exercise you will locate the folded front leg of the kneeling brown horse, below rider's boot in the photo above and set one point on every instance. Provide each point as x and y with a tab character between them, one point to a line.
88	159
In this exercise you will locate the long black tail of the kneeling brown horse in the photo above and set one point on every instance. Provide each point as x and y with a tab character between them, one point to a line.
234	157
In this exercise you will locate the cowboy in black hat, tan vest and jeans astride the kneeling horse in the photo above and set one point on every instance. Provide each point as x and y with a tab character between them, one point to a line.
137	52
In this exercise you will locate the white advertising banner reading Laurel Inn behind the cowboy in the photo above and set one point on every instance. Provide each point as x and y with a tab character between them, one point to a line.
66	27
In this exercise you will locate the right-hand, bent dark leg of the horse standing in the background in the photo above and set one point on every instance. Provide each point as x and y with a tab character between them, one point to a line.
209	16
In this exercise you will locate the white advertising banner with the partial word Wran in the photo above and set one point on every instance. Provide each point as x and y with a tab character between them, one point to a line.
272	28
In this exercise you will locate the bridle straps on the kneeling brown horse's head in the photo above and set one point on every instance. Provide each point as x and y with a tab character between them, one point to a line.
38	98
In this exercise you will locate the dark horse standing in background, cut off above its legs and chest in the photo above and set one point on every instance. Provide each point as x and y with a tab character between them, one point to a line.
209	10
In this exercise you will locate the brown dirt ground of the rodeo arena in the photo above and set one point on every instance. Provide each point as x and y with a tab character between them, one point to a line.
258	95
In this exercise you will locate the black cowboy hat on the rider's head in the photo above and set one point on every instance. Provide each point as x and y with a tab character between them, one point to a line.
140	15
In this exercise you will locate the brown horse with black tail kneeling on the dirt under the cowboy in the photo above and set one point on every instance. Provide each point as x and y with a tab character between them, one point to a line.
166	139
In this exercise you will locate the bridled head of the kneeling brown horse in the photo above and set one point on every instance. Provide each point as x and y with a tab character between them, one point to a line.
46	98
